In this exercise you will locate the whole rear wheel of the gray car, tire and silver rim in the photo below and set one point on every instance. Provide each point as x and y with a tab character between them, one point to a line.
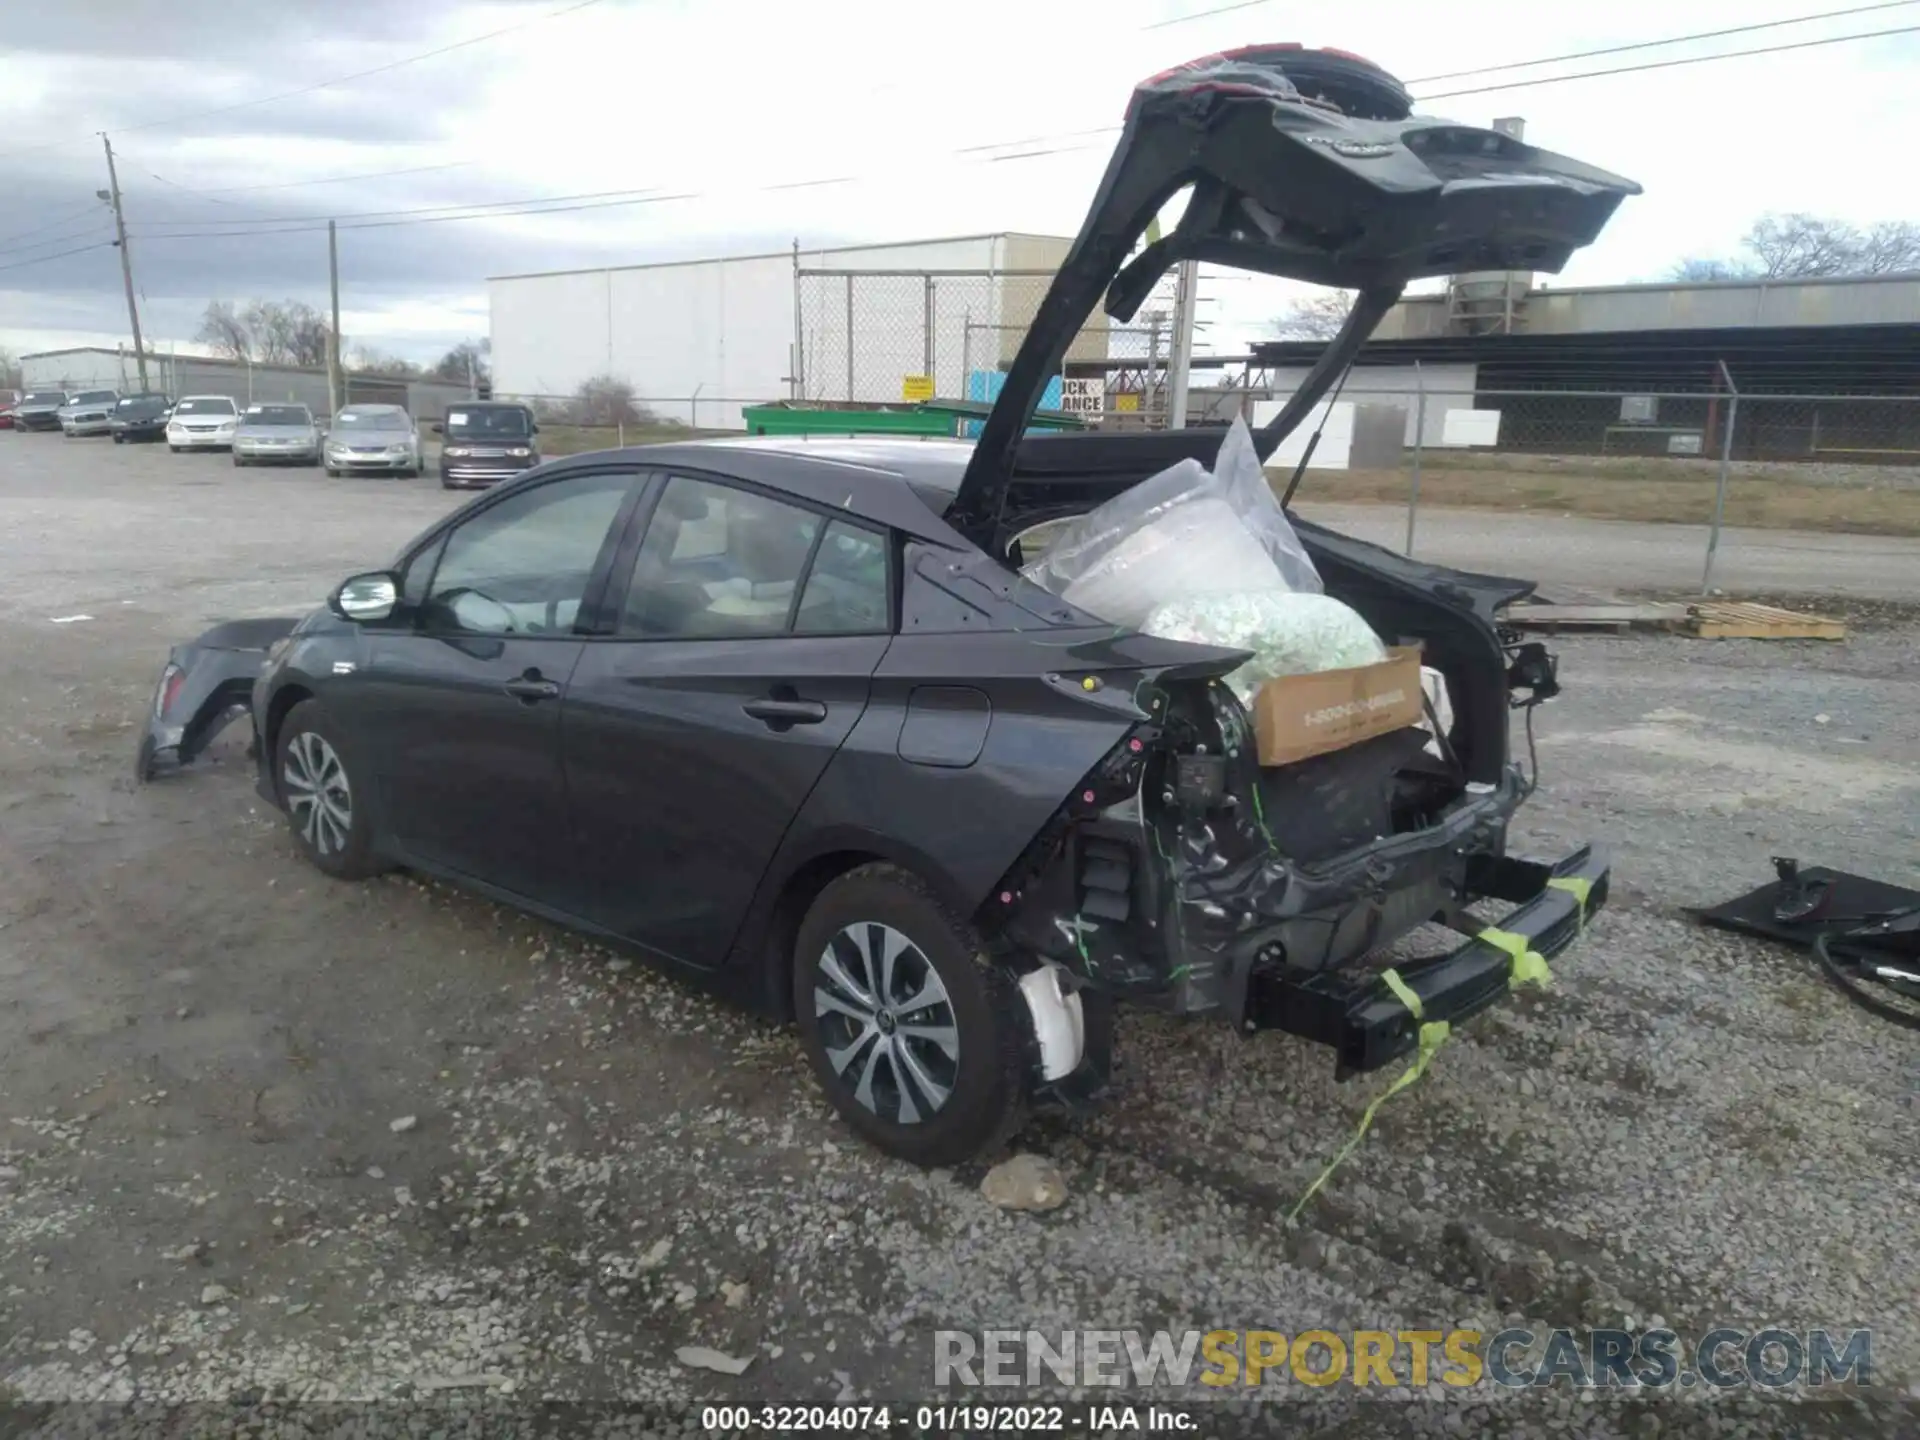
917	1038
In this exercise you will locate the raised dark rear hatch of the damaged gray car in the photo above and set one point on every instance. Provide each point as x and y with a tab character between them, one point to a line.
1303	164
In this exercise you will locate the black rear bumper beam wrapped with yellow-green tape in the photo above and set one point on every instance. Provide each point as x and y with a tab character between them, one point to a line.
1370	1028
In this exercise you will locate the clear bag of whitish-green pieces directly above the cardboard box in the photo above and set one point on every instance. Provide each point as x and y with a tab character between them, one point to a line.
1291	635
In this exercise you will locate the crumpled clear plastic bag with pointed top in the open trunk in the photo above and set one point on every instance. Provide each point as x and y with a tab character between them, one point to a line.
1180	535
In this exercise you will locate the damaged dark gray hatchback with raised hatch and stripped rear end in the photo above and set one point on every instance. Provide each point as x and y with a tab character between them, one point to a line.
802	723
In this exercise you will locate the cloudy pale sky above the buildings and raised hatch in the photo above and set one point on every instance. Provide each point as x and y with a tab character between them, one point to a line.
713	105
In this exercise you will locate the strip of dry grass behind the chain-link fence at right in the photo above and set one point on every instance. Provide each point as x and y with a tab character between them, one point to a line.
1671	498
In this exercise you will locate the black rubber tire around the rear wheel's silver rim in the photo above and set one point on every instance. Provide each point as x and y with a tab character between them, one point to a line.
988	1086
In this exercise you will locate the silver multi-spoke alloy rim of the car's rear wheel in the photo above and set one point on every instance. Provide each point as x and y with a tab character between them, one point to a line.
886	1022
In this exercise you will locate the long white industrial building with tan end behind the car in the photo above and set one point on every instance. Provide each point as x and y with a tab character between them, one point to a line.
700	341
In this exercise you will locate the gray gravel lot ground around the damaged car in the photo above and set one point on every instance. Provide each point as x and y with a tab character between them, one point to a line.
264	1136
